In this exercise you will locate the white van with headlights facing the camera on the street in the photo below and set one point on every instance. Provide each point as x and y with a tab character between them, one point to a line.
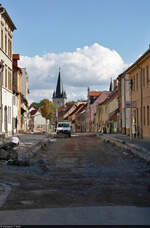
63	128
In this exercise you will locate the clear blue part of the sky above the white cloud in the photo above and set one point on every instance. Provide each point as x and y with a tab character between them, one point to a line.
58	26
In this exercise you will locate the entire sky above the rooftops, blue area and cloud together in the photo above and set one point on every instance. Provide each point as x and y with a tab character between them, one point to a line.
91	41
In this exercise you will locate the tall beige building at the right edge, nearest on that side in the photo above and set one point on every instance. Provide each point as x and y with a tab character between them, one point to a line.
135	97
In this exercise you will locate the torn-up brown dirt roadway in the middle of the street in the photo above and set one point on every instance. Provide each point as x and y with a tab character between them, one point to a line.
78	172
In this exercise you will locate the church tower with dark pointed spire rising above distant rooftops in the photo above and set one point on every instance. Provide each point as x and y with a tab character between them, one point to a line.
59	96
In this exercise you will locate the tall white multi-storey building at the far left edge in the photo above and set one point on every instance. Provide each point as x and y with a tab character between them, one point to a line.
6	96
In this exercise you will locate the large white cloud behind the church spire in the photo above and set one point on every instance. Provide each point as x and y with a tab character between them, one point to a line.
91	66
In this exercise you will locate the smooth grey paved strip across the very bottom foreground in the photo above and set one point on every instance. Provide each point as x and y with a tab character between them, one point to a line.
107	215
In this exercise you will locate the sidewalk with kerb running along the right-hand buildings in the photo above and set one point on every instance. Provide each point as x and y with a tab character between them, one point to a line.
140	147
